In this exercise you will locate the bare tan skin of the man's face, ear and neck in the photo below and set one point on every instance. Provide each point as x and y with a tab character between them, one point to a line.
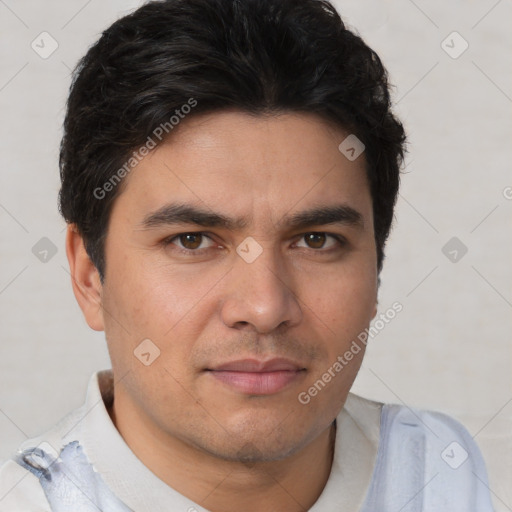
240	439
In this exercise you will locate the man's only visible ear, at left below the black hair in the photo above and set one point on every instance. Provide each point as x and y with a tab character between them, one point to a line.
85	279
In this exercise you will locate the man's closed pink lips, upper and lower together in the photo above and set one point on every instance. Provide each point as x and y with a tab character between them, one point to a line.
256	377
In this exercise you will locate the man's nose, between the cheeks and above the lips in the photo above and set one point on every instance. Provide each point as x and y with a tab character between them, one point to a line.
260	294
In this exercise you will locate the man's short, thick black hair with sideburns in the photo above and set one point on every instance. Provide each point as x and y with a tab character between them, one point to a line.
256	56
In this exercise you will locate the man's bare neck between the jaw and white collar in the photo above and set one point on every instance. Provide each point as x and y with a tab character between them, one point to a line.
293	484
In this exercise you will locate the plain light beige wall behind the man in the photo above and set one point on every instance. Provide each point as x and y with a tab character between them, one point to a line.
448	350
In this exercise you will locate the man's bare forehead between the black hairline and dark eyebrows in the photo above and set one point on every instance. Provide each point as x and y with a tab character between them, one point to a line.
249	165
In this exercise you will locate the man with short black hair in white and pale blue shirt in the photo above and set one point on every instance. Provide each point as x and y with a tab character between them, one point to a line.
229	172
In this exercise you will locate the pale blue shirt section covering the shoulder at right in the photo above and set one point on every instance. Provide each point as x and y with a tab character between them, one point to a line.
427	457
